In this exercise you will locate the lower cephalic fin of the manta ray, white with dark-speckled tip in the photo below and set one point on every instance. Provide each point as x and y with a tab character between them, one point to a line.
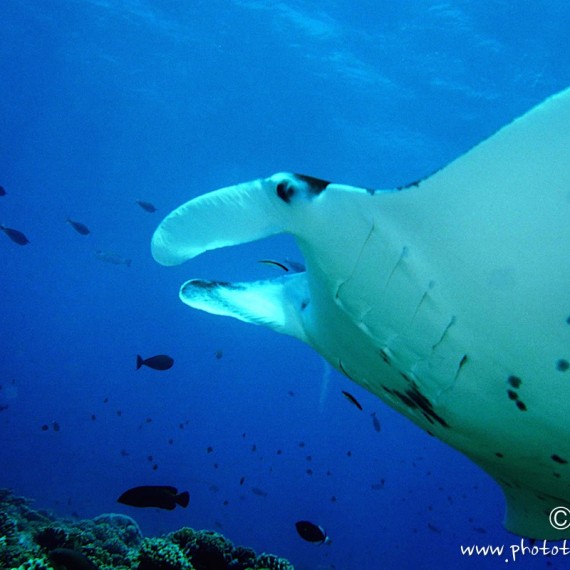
278	303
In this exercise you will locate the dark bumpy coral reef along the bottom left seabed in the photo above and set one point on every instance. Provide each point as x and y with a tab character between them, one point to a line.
115	542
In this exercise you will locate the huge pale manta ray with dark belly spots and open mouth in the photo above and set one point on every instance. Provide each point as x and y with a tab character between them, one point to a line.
448	298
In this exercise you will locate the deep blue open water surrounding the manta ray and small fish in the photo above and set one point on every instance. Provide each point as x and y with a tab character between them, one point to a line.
104	102
